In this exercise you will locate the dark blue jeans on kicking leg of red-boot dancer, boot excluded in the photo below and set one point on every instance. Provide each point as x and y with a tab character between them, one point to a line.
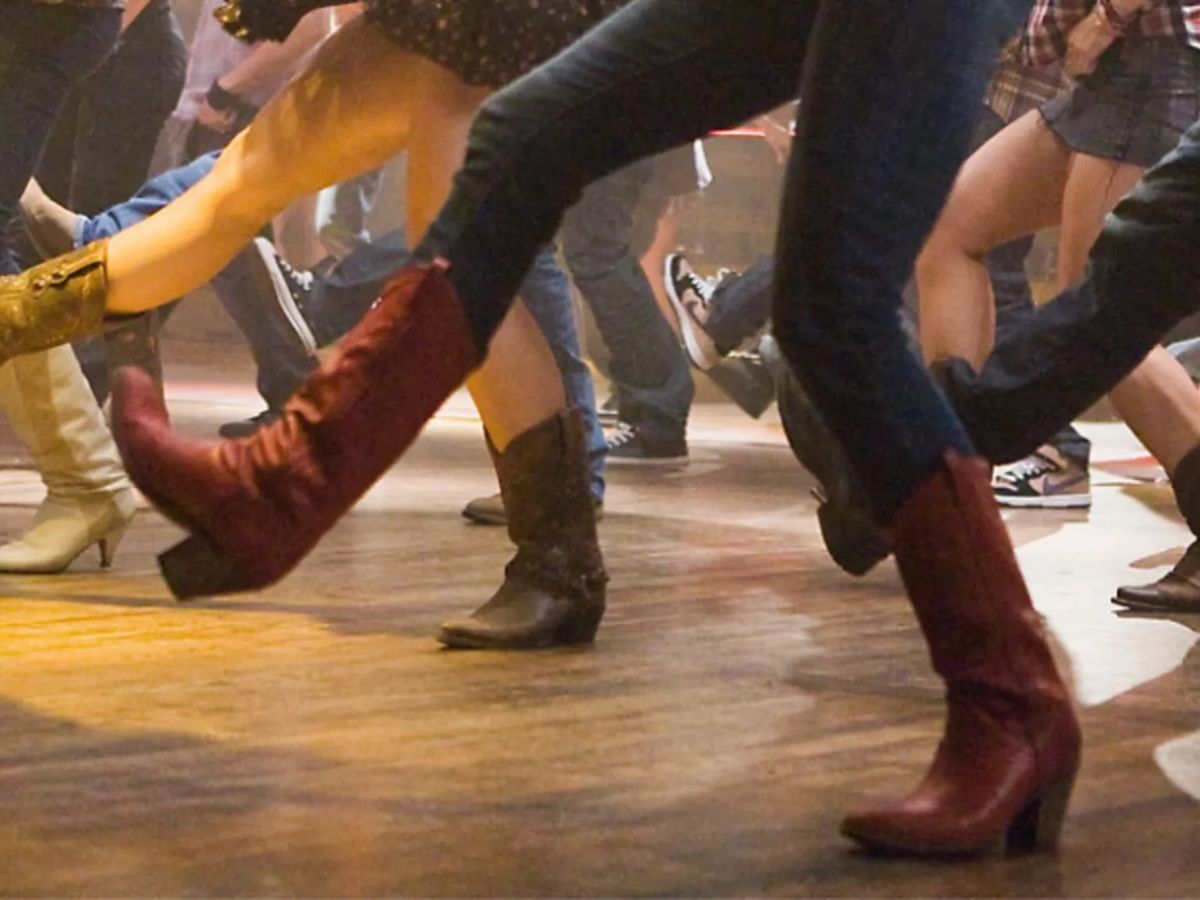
656	75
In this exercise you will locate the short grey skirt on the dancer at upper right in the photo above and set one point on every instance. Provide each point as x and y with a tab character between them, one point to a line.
1133	109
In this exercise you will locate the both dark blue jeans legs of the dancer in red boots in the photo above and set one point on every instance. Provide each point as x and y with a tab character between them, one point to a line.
891	97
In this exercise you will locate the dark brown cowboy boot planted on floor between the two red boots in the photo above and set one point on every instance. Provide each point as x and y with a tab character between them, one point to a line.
554	589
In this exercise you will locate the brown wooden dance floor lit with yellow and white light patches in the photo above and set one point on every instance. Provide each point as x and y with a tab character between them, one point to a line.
315	741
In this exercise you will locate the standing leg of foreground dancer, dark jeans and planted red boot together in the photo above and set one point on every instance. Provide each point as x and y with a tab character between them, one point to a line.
862	195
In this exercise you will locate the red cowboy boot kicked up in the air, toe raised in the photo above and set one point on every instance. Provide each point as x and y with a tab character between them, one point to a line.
257	506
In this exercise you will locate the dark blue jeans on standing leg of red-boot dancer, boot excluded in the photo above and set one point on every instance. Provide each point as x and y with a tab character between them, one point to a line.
890	103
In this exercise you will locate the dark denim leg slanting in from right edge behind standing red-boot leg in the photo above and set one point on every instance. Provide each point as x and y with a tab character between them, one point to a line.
1143	279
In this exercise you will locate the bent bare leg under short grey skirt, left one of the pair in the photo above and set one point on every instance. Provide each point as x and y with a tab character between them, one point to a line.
1010	188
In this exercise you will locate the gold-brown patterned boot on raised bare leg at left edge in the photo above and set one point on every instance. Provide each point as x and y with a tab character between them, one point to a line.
55	303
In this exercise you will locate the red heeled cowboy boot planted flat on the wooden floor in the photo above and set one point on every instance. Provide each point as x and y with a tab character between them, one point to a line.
1009	759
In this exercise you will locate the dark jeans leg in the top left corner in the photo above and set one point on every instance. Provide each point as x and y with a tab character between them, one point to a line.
45	51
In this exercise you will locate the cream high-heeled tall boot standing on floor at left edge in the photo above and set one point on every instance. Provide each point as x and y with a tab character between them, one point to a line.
89	499
